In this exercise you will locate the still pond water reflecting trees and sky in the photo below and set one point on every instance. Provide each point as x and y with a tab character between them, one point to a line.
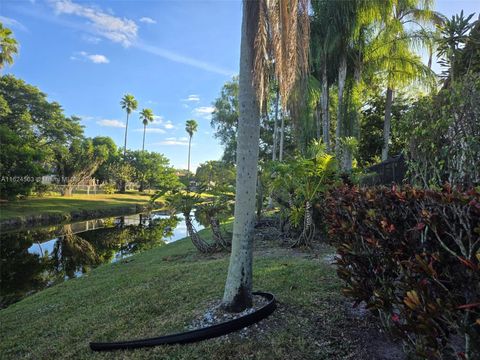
33	259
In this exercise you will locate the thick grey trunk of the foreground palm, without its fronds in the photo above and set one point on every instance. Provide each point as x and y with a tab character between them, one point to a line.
238	287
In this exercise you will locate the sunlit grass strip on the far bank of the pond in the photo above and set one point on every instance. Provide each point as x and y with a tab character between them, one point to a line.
65	205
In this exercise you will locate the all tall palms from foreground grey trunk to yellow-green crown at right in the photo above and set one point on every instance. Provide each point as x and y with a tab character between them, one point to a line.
353	43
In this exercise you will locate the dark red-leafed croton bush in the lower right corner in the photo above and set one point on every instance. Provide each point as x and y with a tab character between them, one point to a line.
413	256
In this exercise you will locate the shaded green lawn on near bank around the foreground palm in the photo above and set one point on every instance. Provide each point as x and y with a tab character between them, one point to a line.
161	290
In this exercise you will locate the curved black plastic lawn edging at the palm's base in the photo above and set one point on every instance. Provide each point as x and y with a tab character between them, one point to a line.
196	335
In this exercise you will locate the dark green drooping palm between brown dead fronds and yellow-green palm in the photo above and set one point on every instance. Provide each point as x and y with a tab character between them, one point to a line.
337	29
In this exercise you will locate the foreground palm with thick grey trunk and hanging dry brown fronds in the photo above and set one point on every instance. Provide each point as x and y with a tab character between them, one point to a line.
282	26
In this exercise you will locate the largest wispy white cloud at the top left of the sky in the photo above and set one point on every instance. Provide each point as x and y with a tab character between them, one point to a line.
116	29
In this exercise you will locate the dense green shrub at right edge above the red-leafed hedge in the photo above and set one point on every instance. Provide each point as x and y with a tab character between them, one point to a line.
442	133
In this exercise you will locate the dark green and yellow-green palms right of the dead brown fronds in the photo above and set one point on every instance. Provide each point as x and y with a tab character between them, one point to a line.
358	42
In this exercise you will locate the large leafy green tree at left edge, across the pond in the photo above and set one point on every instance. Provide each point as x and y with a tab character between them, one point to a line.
32	131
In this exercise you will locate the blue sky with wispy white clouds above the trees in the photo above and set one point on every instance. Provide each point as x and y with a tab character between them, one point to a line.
173	56
